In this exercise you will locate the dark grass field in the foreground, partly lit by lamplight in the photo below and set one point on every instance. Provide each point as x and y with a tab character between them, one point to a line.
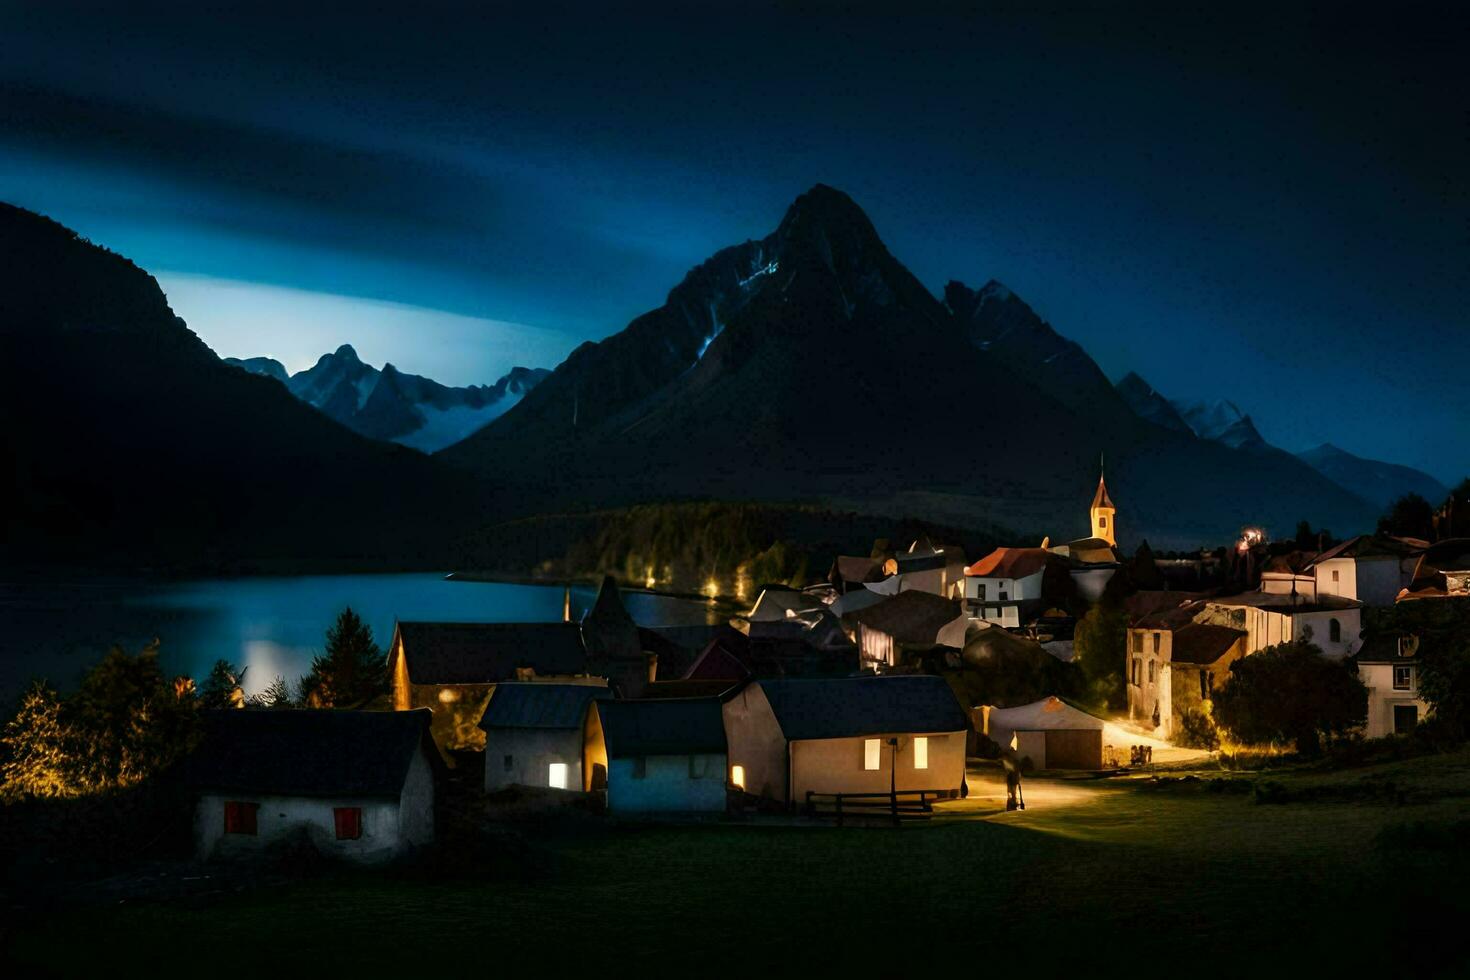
1360	873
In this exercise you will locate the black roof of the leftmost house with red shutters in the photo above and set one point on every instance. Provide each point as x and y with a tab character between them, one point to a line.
317	753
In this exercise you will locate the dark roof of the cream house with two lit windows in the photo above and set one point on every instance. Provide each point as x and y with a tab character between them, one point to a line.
846	707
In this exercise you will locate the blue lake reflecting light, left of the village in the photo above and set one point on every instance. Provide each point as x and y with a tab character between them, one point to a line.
268	625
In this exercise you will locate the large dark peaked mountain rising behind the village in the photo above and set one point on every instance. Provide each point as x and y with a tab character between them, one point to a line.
811	365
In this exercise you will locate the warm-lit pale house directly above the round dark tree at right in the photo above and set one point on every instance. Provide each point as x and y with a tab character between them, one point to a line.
1334	624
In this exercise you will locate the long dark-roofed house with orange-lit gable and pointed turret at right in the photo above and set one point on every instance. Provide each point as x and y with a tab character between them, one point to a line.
453	668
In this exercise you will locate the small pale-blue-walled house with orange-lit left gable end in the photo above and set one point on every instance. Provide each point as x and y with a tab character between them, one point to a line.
659	756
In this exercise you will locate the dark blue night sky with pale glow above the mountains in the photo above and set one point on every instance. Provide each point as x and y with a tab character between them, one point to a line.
1247	205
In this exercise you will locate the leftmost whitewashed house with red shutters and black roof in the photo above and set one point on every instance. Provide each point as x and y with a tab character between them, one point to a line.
356	785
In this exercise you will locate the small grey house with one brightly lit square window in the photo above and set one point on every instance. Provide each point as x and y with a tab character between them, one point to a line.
534	737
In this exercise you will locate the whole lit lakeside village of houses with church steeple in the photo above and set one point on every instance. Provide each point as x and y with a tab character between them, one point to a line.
847	702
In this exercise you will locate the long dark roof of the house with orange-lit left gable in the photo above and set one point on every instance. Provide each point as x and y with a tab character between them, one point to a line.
489	653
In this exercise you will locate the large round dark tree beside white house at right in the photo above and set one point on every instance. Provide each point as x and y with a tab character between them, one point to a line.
1290	694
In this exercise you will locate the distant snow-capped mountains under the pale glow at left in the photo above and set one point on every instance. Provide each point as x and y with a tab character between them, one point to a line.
390	405
